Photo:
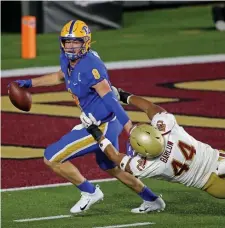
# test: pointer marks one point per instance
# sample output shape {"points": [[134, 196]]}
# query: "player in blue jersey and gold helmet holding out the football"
{"points": [[86, 78]]}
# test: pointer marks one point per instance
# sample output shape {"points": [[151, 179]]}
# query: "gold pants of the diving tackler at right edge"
{"points": [[215, 186]]}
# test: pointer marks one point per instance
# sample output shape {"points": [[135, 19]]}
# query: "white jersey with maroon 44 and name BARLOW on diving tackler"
{"points": [[184, 160]]}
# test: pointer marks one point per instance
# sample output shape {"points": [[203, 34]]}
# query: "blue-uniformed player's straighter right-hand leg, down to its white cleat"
{"points": [[151, 201]]}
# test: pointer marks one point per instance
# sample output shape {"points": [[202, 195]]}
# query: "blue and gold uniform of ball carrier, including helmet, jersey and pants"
{"points": [[79, 81]]}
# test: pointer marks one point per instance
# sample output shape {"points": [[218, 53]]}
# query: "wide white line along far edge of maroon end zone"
{"points": [[123, 64]]}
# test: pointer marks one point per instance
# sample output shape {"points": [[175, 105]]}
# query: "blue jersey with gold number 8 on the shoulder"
{"points": [[79, 81]]}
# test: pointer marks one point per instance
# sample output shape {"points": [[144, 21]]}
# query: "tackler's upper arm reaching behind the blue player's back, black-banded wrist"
{"points": [[146, 106]]}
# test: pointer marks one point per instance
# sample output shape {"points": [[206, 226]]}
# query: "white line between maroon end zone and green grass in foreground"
{"points": [[53, 185]]}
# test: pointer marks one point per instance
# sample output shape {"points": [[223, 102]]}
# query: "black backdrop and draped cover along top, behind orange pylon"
{"points": [[45, 12]]}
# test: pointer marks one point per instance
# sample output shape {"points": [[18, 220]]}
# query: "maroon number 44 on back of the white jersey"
{"points": [[188, 152]]}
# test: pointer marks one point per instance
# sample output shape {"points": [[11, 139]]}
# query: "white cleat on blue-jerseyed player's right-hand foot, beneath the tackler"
{"points": [[148, 206]]}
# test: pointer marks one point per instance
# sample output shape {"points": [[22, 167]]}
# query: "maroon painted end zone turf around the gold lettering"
{"points": [[41, 130]]}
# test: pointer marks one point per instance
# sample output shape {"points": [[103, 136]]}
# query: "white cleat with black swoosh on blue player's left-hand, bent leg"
{"points": [[86, 200]]}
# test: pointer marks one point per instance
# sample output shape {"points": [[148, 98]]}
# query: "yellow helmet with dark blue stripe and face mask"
{"points": [[76, 30]]}
